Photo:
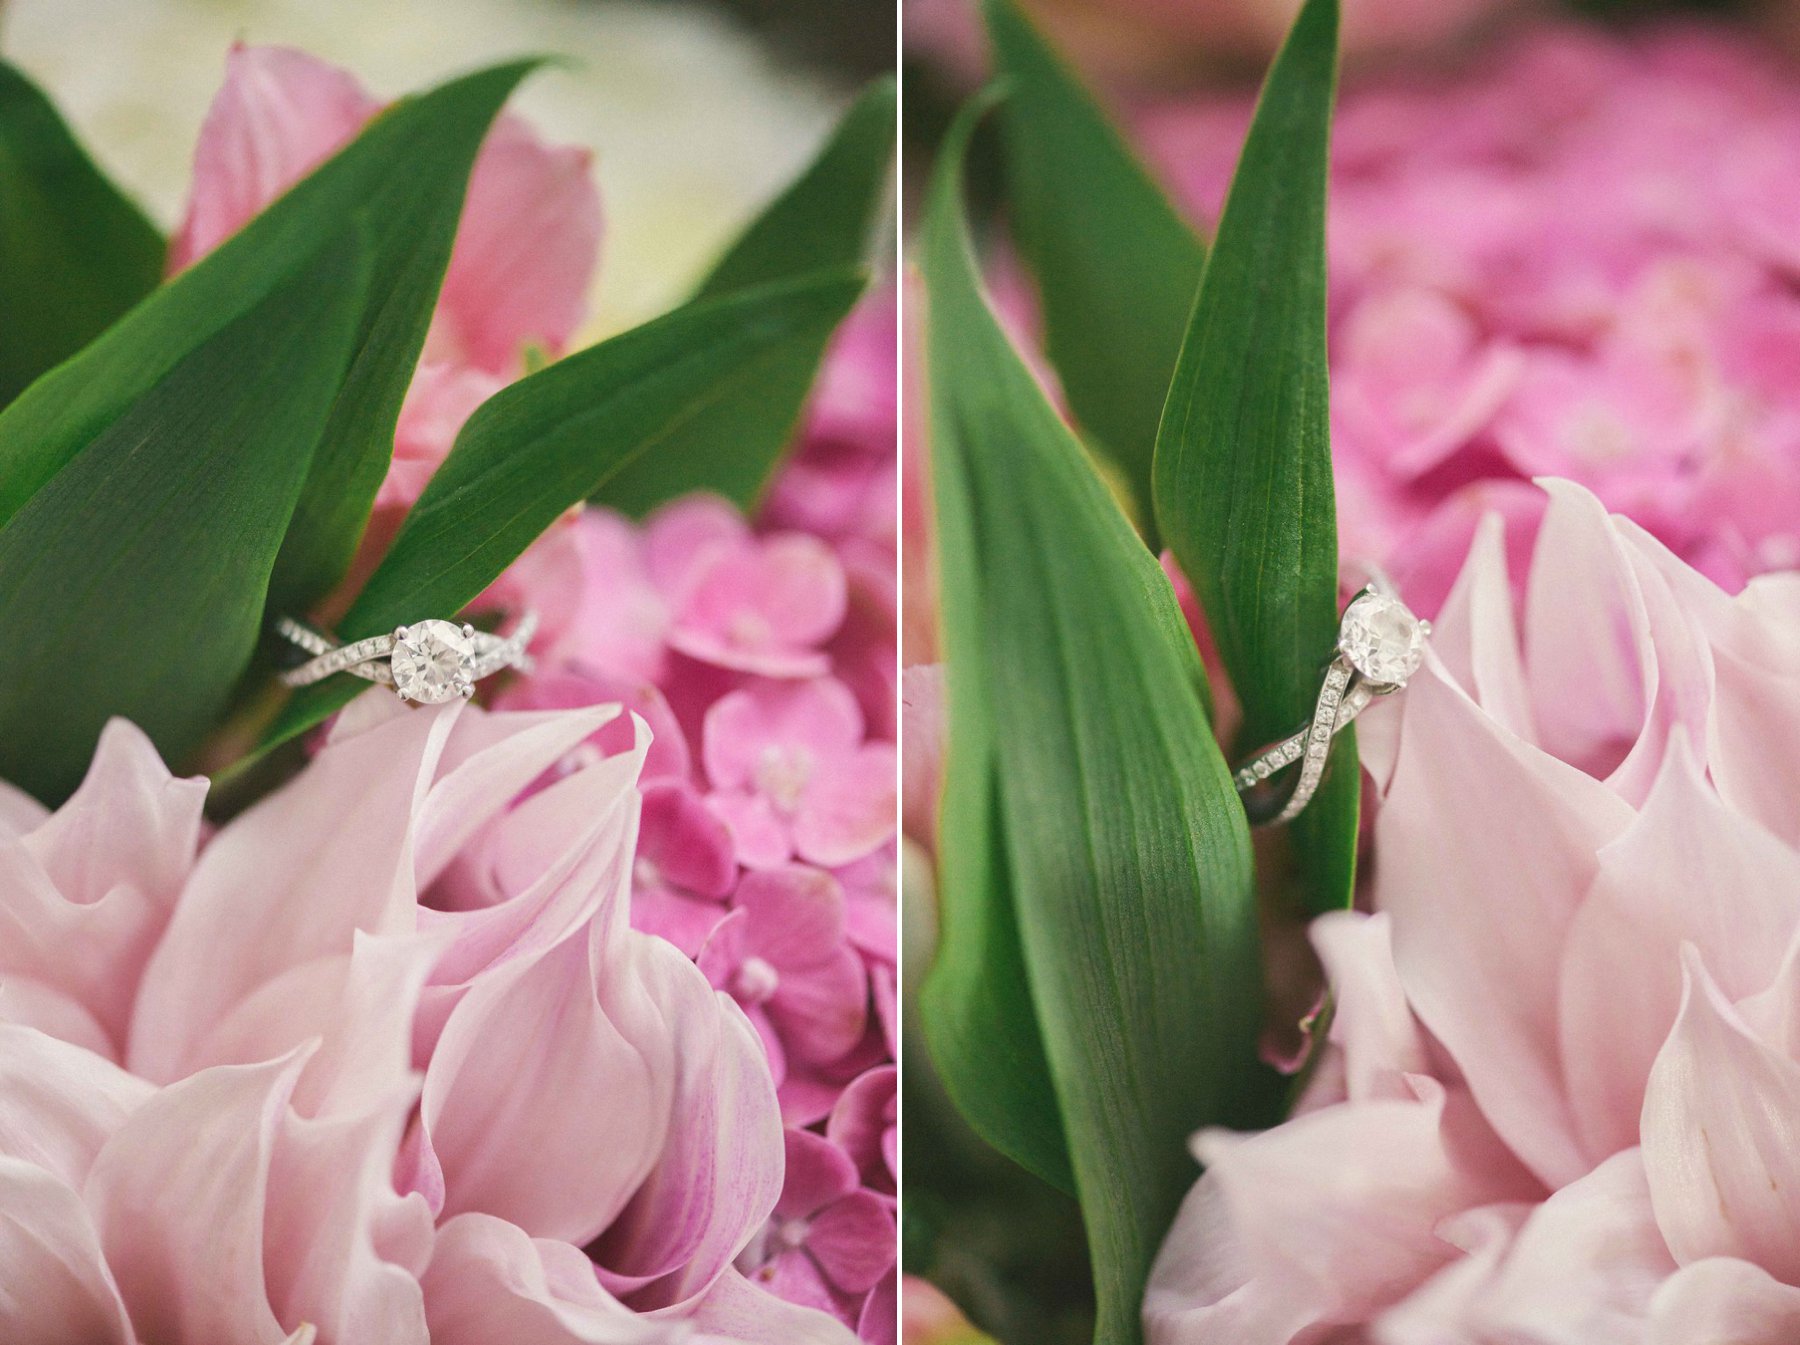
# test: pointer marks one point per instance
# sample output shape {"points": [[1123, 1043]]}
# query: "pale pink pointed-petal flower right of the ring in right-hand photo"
{"points": [[1560, 1097]]}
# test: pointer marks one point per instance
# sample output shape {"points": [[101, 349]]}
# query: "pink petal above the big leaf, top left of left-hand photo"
{"points": [[278, 116]]}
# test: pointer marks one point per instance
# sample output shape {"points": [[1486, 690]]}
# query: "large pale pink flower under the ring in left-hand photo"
{"points": [[271, 1088]]}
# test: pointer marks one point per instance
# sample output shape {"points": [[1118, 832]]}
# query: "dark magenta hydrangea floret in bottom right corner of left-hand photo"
{"points": [[829, 1243]]}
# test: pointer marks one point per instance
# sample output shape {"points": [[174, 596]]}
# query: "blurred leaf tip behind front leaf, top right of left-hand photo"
{"points": [[829, 215]]}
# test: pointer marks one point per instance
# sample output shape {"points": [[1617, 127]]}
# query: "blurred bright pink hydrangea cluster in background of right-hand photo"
{"points": [[1570, 258]]}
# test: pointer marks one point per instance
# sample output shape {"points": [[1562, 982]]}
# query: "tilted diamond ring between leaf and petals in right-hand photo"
{"points": [[1380, 647]]}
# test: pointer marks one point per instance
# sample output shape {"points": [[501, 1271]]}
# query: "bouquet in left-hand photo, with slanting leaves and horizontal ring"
{"points": [[561, 1016]]}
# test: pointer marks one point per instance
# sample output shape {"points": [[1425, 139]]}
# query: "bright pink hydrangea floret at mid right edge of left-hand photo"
{"points": [[791, 775]]}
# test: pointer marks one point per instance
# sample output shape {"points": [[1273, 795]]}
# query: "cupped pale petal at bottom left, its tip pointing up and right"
{"points": [[179, 1200]]}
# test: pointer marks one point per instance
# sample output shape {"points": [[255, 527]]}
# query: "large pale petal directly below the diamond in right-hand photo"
{"points": [[1486, 849]]}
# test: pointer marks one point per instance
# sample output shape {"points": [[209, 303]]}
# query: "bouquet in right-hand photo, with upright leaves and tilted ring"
{"points": [[1356, 788]]}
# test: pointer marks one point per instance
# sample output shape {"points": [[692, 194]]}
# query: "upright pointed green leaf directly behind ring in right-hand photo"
{"points": [[1243, 462]]}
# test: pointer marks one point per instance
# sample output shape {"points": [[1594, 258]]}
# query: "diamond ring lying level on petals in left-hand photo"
{"points": [[427, 663]]}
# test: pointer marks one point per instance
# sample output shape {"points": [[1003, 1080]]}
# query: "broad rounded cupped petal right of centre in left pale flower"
{"points": [[579, 1025]]}
